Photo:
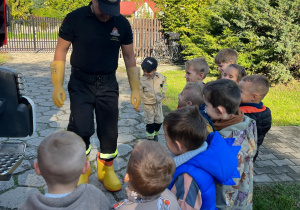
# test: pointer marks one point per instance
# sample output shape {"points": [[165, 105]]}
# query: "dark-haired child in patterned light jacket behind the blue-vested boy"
{"points": [[222, 98]]}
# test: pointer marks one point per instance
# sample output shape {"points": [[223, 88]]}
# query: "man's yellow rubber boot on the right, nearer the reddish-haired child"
{"points": [[107, 175]]}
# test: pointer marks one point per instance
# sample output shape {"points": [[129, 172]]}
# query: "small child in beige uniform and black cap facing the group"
{"points": [[153, 89]]}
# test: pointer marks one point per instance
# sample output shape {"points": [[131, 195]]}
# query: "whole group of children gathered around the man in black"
{"points": [[212, 138]]}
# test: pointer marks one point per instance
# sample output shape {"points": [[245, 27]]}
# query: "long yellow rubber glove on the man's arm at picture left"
{"points": [[57, 74]]}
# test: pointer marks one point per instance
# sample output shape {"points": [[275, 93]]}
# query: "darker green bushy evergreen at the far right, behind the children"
{"points": [[268, 35]]}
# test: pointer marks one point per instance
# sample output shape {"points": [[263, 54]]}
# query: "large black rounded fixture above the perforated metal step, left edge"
{"points": [[17, 116]]}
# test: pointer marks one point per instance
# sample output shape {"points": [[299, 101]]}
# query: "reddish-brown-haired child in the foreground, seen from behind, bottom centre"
{"points": [[150, 169]]}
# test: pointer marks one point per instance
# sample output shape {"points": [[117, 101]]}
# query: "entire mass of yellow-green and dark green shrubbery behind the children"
{"points": [[266, 33]]}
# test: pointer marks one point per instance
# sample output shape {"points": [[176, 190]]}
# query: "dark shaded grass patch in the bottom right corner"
{"points": [[277, 196]]}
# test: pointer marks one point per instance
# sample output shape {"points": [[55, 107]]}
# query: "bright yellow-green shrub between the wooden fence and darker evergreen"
{"points": [[190, 18]]}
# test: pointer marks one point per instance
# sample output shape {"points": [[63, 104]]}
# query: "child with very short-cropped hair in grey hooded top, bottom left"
{"points": [[61, 160]]}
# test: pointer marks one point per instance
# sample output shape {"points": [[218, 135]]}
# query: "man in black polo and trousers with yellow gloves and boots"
{"points": [[97, 32]]}
